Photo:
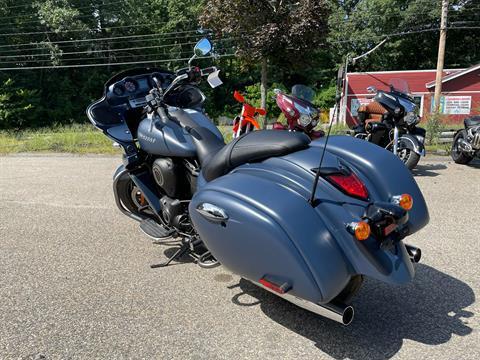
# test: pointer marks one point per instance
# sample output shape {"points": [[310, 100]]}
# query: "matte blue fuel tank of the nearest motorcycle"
{"points": [[171, 139]]}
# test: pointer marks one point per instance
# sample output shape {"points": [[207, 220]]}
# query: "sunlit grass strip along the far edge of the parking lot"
{"points": [[85, 139]]}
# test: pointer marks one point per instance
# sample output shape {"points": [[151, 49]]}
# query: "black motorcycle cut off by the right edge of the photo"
{"points": [[466, 143]]}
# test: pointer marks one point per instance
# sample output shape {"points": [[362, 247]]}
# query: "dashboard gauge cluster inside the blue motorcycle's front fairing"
{"points": [[133, 89]]}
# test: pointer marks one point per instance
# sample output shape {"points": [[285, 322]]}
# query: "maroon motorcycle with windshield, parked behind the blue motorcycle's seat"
{"points": [[301, 114]]}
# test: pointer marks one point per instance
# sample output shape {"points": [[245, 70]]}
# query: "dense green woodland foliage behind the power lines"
{"points": [[303, 40]]}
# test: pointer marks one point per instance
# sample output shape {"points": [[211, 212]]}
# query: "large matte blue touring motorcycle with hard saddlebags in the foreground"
{"points": [[263, 206]]}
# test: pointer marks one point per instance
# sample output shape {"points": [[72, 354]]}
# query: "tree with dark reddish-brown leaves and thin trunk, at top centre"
{"points": [[269, 31]]}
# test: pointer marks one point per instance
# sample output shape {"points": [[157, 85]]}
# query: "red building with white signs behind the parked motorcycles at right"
{"points": [[460, 91]]}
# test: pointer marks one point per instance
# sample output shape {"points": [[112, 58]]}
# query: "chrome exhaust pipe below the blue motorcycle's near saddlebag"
{"points": [[338, 312]]}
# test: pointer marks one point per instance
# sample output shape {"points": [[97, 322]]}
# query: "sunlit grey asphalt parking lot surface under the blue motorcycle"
{"points": [[76, 281]]}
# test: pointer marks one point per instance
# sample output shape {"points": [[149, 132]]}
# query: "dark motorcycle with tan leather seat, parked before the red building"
{"points": [[391, 122]]}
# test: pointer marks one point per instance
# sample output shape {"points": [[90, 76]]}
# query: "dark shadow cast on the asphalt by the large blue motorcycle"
{"points": [[429, 310]]}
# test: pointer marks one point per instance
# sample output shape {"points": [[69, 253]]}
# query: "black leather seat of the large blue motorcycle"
{"points": [[217, 159]]}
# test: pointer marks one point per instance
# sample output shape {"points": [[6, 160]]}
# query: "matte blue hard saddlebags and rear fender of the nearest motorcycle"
{"points": [[269, 229]]}
